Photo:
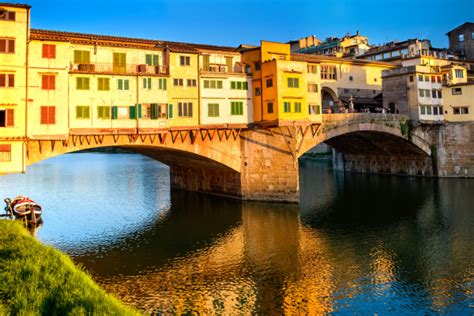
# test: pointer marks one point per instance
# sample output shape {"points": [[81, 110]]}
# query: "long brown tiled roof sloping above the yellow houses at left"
{"points": [[106, 40]]}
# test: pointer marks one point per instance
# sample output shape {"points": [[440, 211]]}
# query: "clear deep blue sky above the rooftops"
{"points": [[231, 23]]}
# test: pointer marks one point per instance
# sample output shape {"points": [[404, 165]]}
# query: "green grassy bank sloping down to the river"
{"points": [[38, 279]]}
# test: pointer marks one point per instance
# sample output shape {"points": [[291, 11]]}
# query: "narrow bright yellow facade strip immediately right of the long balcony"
{"points": [[184, 93]]}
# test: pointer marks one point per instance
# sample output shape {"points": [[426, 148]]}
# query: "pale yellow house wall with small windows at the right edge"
{"points": [[452, 101]]}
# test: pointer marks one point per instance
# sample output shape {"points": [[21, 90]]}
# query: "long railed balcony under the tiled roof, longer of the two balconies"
{"points": [[129, 69]]}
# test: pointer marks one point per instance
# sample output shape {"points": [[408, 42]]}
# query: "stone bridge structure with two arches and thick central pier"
{"points": [[260, 163]]}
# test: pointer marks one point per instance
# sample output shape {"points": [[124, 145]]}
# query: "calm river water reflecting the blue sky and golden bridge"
{"points": [[356, 243]]}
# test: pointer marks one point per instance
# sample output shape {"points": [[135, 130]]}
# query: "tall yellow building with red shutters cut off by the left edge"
{"points": [[14, 29]]}
